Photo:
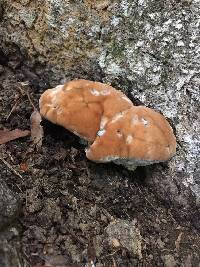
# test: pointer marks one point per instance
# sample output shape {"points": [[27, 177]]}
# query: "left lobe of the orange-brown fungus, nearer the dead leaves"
{"points": [[83, 106]]}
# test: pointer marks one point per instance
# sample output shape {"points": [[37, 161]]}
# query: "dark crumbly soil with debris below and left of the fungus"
{"points": [[75, 212]]}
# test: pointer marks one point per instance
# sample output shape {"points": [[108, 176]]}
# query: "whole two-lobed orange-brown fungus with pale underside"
{"points": [[116, 130]]}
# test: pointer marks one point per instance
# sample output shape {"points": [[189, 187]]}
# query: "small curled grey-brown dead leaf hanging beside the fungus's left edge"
{"points": [[37, 132]]}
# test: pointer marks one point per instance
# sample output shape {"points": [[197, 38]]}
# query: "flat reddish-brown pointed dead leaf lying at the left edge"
{"points": [[7, 135]]}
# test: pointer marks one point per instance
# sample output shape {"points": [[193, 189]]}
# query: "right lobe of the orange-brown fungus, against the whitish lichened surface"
{"points": [[137, 136]]}
